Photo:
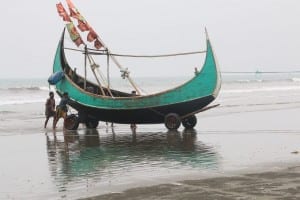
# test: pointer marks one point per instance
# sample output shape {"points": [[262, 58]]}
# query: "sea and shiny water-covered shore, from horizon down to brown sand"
{"points": [[256, 122]]}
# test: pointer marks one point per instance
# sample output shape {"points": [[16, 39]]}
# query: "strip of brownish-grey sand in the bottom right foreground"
{"points": [[280, 184]]}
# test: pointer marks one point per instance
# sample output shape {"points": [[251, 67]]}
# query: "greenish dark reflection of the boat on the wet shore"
{"points": [[77, 159]]}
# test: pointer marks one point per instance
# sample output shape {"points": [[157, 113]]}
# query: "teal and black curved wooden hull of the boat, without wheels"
{"points": [[202, 89]]}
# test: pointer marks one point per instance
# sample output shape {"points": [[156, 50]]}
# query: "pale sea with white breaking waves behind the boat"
{"points": [[24, 91]]}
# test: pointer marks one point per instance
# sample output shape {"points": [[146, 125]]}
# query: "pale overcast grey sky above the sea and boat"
{"points": [[246, 35]]}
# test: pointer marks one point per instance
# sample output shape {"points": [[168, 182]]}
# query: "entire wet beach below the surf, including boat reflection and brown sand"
{"points": [[232, 154]]}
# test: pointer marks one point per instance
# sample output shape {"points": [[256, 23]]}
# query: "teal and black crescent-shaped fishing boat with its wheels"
{"points": [[98, 102]]}
